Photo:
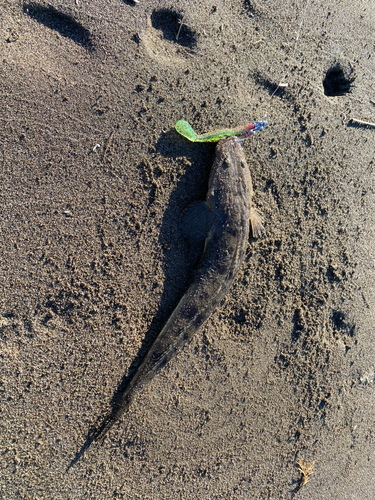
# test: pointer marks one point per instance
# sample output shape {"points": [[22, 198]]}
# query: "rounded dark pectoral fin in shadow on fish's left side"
{"points": [[195, 222]]}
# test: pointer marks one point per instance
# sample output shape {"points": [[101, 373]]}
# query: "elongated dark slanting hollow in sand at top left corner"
{"points": [[62, 23]]}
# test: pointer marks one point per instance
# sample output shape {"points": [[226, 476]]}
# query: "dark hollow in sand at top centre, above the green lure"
{"points": [[173, 28]]}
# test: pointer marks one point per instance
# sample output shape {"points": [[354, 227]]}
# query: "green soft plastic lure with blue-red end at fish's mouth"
{"points": [[185, 129]]}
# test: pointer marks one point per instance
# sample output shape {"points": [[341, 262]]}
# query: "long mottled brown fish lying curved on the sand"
{"points": [[229, 199]]}
